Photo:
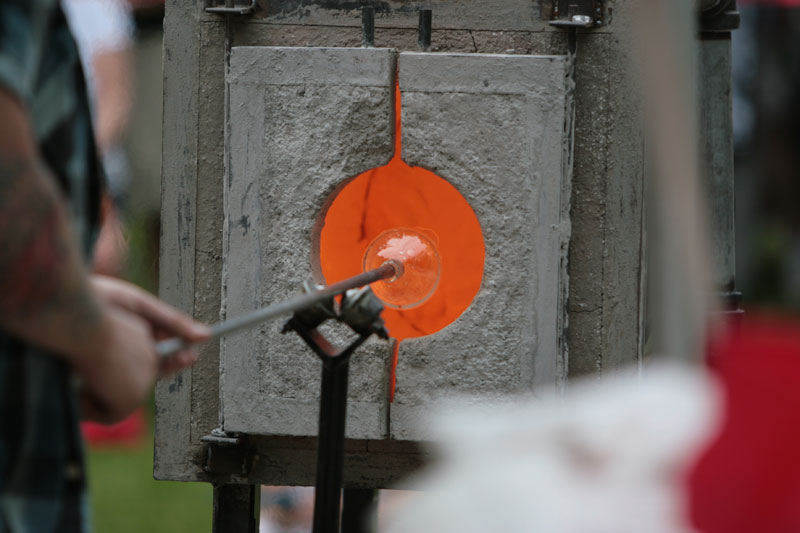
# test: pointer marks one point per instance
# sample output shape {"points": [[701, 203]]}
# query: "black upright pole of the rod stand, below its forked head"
{"points": [[330, 450]]}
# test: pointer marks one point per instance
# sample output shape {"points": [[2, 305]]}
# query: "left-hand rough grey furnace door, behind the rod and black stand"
{"points": [[302, 122]]}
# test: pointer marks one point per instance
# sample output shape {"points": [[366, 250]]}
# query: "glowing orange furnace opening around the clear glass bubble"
{"points": [[400, 196]]}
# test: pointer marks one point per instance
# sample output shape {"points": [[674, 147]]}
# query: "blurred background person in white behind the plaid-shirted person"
{"points": [[103, 31]]}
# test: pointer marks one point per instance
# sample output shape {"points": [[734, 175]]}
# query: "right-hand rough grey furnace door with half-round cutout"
{"points": [[494, 127]]}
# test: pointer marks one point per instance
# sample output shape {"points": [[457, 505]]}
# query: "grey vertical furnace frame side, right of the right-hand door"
{"points": [[606, 251]]}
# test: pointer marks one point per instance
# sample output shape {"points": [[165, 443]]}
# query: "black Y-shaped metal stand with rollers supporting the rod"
{"points": [[360, 310]]}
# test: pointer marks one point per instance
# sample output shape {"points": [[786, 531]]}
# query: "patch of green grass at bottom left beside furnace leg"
{"points": [[125, 497]]}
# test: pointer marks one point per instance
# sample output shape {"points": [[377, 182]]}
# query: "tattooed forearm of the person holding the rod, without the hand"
{"points": [[43, 282]]}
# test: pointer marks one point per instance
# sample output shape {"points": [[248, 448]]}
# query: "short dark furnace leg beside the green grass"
{"points": [[236, 508]]}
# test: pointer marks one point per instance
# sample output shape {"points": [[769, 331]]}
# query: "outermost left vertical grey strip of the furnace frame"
{"points": [[174, 448]]}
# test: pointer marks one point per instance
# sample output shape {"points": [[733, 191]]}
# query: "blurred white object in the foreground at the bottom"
{"points": [[609, 458]]}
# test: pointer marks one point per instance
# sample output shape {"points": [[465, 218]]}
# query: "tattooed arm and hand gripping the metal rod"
{"points": [[46, 297]]}
